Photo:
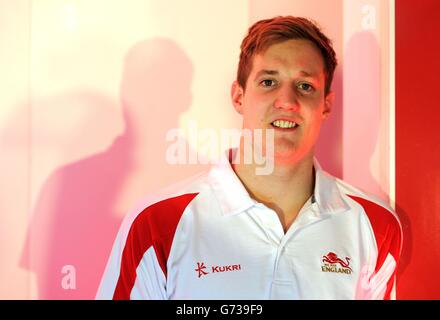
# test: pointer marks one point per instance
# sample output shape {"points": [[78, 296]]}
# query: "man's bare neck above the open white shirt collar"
{"points": [[285, 190]]}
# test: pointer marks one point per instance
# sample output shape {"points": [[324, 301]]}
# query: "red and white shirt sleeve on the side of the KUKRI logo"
{"points": [[137, 268]]}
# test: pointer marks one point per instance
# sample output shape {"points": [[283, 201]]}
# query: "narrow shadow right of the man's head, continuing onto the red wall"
{"points": [[363, 79]]}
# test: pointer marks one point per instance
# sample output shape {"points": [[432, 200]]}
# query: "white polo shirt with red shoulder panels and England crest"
{"points": [[208, 239]]}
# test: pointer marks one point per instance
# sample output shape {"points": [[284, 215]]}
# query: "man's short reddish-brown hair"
{"points": [[264, 33]]}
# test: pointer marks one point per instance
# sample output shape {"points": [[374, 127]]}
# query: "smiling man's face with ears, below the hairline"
{"points": [[285, 91]]}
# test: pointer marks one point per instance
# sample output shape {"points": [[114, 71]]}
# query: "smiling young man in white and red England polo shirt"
{"points": [[294, 233]]}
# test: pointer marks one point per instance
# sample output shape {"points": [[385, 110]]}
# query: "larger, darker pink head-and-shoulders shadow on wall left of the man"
{"points": [[80, 206]]}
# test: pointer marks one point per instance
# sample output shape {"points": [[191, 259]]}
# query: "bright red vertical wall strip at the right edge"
{"points": [[418, 146]]}
